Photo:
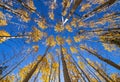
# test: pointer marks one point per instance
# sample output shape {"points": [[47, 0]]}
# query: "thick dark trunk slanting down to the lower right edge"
{"points": [[102, 58]]}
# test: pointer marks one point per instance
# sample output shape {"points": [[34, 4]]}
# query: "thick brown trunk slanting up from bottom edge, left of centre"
{"points": [[29, 75]]}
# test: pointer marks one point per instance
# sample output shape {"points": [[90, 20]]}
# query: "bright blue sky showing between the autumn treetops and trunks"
{"points": [[12, 46]]}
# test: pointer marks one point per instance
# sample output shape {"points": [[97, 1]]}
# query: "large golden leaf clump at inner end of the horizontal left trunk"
{"points": [[36, 35]]}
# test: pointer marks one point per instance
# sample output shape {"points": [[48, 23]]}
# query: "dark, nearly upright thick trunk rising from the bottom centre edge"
{"points": [[65, 70]]}
